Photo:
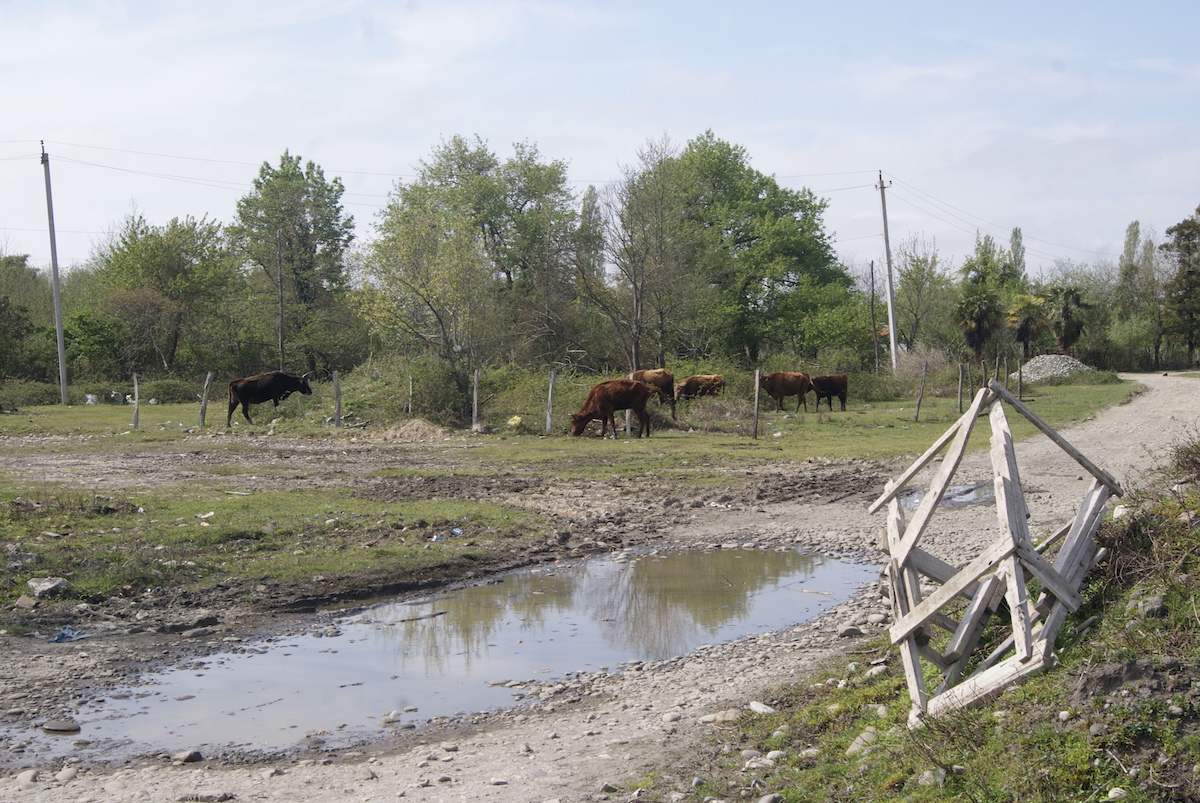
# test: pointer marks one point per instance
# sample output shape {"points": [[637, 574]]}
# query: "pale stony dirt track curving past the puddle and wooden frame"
{"points": [[611, 729]]}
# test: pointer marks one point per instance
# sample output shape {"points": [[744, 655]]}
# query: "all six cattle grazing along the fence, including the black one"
{"points": [[604, 400]]}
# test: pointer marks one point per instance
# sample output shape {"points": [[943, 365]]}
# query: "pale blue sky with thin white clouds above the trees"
{"points": [[1069, 121]]}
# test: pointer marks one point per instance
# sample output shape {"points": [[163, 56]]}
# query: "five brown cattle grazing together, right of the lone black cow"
{"points": [[607, 398]]}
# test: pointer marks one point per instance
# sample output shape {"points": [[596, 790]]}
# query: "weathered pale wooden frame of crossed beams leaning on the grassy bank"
{"points": [[971, 670]]}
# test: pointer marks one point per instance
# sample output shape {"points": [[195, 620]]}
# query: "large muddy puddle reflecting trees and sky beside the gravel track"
{"points": [[464, 652]]}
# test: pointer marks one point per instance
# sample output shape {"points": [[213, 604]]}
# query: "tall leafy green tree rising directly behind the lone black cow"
{"points": [[293, 227]]}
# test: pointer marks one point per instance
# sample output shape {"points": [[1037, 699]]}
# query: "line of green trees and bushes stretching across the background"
{"points": [[483, 261]]}
